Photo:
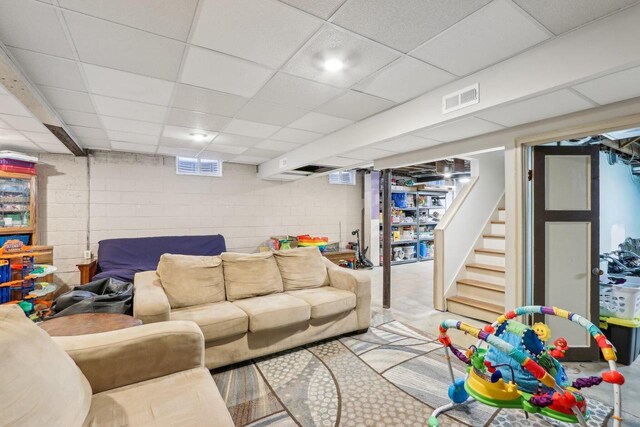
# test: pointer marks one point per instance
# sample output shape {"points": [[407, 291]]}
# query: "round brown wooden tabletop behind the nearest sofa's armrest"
{"points": [[88, 323]]}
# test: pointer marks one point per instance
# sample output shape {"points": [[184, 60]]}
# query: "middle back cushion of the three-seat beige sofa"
{"points": [[250, 275]]}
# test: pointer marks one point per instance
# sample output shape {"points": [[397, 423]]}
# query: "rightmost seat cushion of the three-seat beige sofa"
{"points": [[326, 301]]}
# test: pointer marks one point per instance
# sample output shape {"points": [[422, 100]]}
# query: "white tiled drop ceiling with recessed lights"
{"points": [[145, 76]]}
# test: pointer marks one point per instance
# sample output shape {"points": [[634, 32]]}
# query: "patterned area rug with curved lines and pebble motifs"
{"points": [[389, 376]]}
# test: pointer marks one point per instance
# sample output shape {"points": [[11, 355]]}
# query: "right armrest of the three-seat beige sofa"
{"points": [[357, 282]]}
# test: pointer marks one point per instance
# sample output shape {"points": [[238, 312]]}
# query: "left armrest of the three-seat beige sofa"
{"points": [[150, 303]]}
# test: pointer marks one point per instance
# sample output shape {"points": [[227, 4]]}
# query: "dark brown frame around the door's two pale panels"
{"points": [[540, 218]]}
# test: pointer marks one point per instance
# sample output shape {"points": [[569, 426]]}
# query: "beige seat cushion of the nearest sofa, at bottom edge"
{"points": [[187, 398]]}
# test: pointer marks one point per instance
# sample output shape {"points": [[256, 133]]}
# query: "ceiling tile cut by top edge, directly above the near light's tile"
{"points": [[403, 24]]}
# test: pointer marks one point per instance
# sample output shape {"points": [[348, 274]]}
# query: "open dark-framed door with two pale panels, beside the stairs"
{"points": [[566, 246]]}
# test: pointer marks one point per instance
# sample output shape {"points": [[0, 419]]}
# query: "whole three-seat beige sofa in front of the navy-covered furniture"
{"points": [[250, 305]]}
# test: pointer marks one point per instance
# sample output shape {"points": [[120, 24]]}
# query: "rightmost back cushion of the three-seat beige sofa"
{"points": [[302, 268]]}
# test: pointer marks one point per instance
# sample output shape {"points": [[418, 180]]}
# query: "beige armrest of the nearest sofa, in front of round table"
{"points": [[127, 356]]}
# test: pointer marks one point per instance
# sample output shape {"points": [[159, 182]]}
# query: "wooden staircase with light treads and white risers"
{"points": [[479, 292]]}
